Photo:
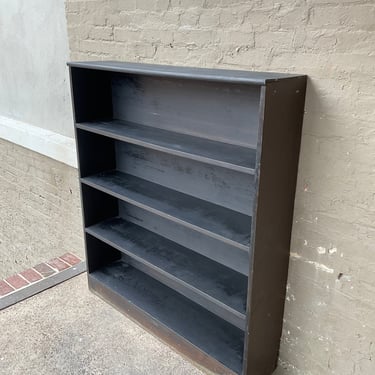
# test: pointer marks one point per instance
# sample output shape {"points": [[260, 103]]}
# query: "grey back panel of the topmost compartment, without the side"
{"points": [[223, 112]]}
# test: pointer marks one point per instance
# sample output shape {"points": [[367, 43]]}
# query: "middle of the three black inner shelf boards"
{"points": [[215, 221]]}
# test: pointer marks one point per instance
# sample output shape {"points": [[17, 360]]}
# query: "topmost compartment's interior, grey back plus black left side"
{"points": [[193, 108]]}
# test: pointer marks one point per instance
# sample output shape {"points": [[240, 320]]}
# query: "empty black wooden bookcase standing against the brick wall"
{"points": [[187, 183]]}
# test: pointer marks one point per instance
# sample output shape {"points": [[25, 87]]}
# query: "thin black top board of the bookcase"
{"points": [[218, 75]]}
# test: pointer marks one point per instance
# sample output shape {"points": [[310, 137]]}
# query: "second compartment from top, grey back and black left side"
{"points": [[220, 186]]}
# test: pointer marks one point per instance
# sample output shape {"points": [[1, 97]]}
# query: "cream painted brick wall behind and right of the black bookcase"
{"points": [[330, 309]]}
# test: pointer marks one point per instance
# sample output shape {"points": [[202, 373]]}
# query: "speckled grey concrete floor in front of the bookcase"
{"points": [[67, 330]]}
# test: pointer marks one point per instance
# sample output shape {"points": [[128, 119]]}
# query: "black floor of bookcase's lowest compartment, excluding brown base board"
{"points": [[203, 329]]}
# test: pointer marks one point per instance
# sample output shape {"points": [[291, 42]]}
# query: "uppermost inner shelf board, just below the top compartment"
{"points": [[238, 158]]}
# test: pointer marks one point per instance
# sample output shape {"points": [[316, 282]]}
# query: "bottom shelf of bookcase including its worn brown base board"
{"points": [[168, 314]]}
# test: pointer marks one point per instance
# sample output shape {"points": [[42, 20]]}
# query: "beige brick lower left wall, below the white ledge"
{"points": [[39, 209]]}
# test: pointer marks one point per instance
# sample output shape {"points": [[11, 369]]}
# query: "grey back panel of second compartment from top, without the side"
{"points": [[224, 187]]}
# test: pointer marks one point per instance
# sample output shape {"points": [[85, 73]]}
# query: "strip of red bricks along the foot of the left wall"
{"points": [[37, 273]]}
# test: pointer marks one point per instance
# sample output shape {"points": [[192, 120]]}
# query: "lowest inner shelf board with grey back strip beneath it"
{"points": [[208, 283]]}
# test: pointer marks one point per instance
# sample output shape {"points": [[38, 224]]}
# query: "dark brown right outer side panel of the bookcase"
{"points": [[281, 118]]}
